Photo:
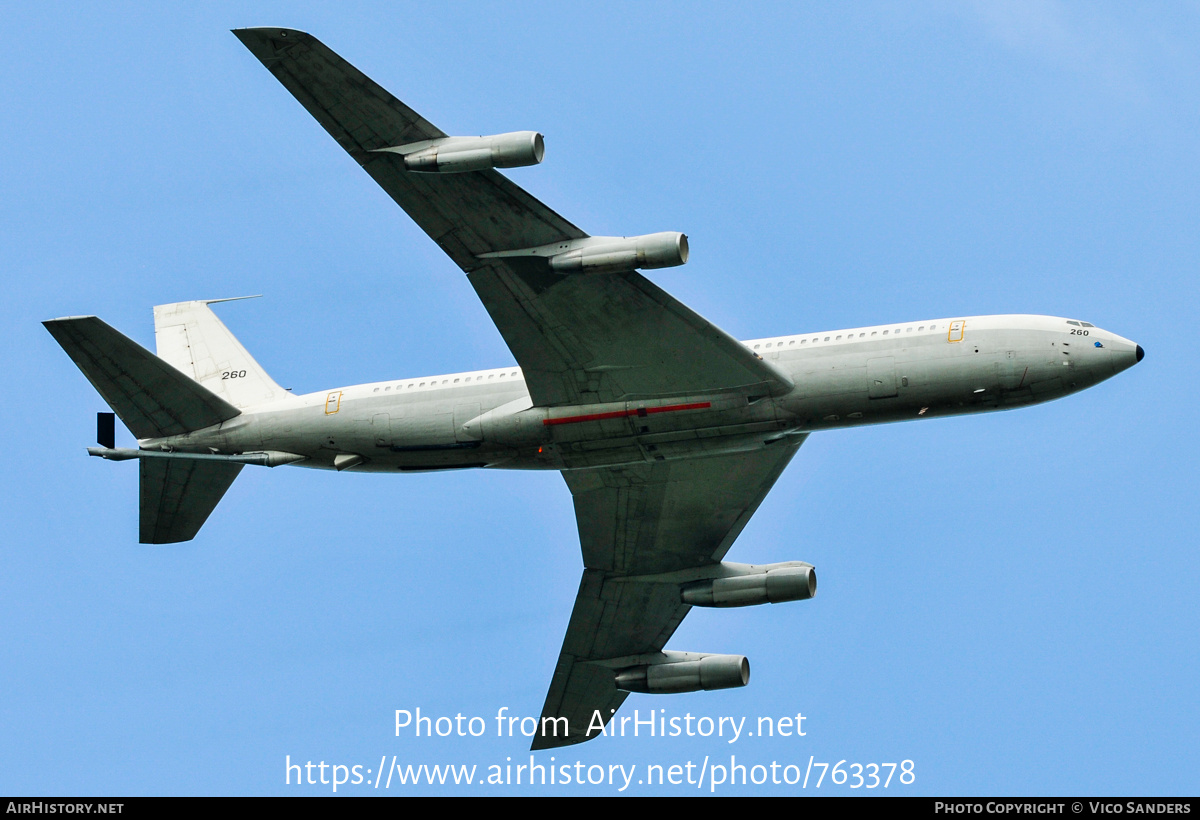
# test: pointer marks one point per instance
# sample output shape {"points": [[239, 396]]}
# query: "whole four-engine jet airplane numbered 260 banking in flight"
{"points": [[668, 432]]}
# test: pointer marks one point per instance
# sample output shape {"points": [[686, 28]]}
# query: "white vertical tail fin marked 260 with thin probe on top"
{"points": [[191, 337]]}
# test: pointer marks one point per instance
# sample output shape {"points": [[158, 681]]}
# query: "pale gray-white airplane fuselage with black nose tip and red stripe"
{"points": [[842, 379]]}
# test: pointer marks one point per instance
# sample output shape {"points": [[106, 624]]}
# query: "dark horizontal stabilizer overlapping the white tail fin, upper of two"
{"points": [[153, 398]]}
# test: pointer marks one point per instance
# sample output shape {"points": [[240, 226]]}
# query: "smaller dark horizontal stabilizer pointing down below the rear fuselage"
{"points": [[179, 495]]}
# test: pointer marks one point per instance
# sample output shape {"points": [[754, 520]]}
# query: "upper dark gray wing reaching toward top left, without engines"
{"points": [[579, 339]]}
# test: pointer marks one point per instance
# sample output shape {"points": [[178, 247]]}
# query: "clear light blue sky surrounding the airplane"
{"points": [[1007, 601]]}
